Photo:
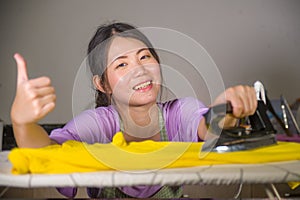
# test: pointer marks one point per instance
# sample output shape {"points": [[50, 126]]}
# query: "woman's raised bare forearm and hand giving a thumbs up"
{"points": [[34, 99]]}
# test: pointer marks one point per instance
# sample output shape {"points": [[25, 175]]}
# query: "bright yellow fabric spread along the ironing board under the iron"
{"points": [[74, 156]]}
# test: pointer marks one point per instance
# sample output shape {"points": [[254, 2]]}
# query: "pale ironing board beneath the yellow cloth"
{"points": [[278, 172]]}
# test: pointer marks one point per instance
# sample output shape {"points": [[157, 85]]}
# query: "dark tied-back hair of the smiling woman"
{"points": [[98, 50]]}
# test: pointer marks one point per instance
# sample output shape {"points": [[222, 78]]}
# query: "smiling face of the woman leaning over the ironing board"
{"points": [[133, 73]]}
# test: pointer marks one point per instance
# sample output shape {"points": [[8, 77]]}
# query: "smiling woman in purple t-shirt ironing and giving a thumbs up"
{"points": [[127, 77]]}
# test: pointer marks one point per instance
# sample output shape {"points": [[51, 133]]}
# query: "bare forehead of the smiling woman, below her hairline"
{"points": [[121, 46]]}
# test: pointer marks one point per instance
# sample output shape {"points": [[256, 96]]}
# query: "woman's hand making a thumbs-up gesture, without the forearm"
{"points": [[34, 99]]}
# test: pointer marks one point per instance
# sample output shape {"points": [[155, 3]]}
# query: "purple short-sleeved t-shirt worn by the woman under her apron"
{"points": [[99, 125]]}
